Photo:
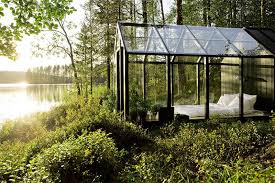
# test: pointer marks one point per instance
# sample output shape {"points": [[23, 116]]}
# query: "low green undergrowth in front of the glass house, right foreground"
{"points": [[210, 152]]}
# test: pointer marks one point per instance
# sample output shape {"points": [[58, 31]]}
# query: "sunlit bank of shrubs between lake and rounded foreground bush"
{"points": [[90, 115]]}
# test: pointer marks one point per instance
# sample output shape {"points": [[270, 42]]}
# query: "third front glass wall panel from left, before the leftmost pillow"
{"points": [[224, 87]]}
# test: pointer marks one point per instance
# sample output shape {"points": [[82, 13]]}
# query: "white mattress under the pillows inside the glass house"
{"points": [[194, 111]]}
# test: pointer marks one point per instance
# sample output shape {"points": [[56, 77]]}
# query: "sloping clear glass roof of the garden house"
{"points": [[189, 40]]}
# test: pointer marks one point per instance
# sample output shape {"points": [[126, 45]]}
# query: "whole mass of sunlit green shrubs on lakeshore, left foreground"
{"points": [[68, 127]]}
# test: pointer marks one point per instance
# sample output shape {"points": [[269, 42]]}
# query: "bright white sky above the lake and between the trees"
{"points": [[25, 59]]}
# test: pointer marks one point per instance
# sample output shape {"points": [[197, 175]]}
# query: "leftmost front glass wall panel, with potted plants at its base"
{"points": [[147, 85]]}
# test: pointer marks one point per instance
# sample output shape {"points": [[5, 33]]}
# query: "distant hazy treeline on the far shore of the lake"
{"points": [[49, 75]]}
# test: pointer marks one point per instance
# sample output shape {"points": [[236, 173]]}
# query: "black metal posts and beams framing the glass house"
{"points": [[123, 74]]}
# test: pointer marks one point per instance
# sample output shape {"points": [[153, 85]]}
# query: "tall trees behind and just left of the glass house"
{"points": [[93, 45]]}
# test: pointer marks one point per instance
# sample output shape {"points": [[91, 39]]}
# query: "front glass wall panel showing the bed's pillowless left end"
{"points": [[188, 86]]}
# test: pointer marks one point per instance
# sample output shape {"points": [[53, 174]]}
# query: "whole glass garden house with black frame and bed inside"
{"points": [[195, 71]]}
